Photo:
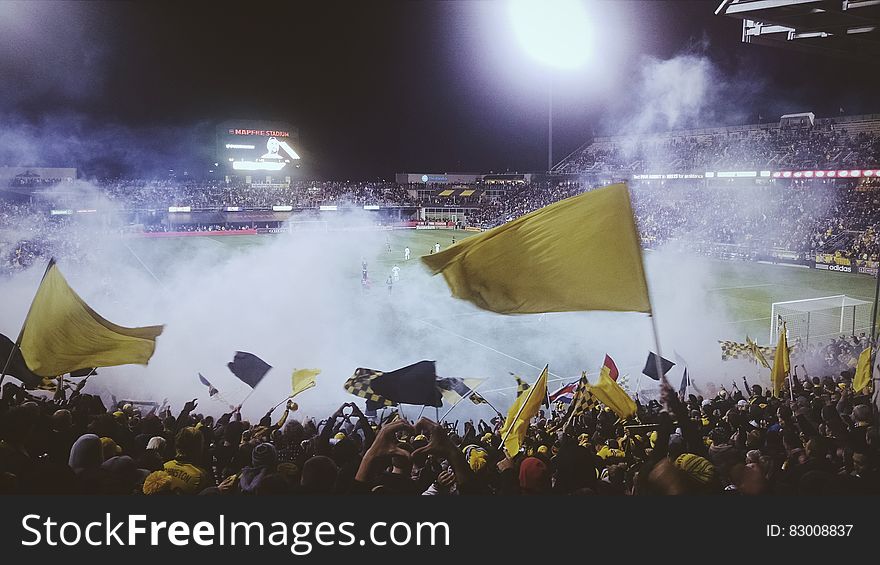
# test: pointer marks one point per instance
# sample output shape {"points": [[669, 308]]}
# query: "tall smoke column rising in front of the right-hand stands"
{"points": [[693, 91]]}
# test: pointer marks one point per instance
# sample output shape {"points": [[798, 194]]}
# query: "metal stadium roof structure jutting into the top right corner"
{"points": [[849, 28]]}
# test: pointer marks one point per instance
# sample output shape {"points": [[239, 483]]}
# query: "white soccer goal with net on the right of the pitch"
{"points": [[820, 319]]}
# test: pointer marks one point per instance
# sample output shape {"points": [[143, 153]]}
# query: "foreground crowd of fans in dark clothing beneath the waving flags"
{"points": [[816, 438]]}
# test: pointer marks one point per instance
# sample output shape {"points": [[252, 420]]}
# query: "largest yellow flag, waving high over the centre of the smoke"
{"points": [[581, 253]]}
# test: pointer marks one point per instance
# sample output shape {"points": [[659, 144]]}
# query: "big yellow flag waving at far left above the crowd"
{"points": [[63, 334]]}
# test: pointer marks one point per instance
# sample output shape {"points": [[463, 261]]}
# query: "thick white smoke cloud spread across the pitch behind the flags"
{"points": [[296, 301]]}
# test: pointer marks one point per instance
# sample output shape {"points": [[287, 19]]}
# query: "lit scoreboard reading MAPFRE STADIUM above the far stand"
{"points": [[245, 146]]}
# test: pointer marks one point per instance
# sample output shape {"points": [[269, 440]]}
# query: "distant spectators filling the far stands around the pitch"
{"points": [[751, 218]]}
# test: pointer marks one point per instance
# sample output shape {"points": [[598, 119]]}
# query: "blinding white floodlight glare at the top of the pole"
{"points": [[555, 32]]}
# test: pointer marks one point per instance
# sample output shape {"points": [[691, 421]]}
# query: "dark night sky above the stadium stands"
{"points": [[376, 88]]}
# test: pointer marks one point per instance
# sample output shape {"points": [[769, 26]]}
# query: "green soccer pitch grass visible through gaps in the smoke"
{"points": [[744, 290]]}
